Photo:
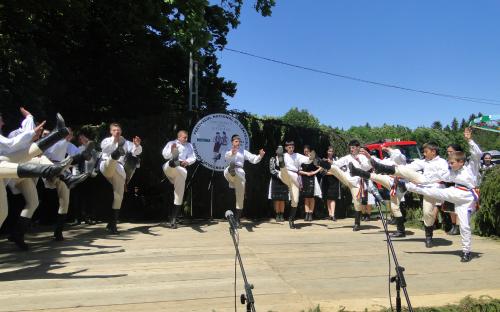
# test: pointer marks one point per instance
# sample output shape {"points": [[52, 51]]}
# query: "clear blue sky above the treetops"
{"points": [[443, 46]]}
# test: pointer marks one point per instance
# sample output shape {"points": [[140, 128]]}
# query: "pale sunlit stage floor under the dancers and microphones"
{"points": [[150, 267]]}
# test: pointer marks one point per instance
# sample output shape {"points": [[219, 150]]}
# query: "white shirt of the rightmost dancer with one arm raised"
{"points": [[468, 175]]}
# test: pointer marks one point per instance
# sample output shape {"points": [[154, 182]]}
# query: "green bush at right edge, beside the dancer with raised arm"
{"points": [[487, 219]]}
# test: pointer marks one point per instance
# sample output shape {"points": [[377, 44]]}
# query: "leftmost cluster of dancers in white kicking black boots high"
{"points": [[31, 152]]}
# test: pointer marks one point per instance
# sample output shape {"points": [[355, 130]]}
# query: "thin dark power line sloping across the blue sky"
{"points": [[380, 84]]}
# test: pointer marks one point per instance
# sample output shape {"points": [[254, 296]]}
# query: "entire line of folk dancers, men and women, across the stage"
{"points": [[25, 157]]}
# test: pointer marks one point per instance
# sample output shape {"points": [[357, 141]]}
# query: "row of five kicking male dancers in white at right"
{"points": [[426, 177]]}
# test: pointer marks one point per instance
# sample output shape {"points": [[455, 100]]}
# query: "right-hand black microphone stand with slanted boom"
{"points": [[399, 278]]}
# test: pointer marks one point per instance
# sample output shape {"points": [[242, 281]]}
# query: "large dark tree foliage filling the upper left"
{"points": [[102, 60]]}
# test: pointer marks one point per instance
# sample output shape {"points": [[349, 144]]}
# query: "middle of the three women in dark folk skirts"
{"points": [[310, 185]]}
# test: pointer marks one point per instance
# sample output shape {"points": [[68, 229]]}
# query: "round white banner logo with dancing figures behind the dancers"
{"points": [[211, 139]]}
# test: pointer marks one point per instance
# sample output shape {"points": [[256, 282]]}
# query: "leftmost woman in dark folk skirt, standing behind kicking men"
{"points": [[278, 191]]}
